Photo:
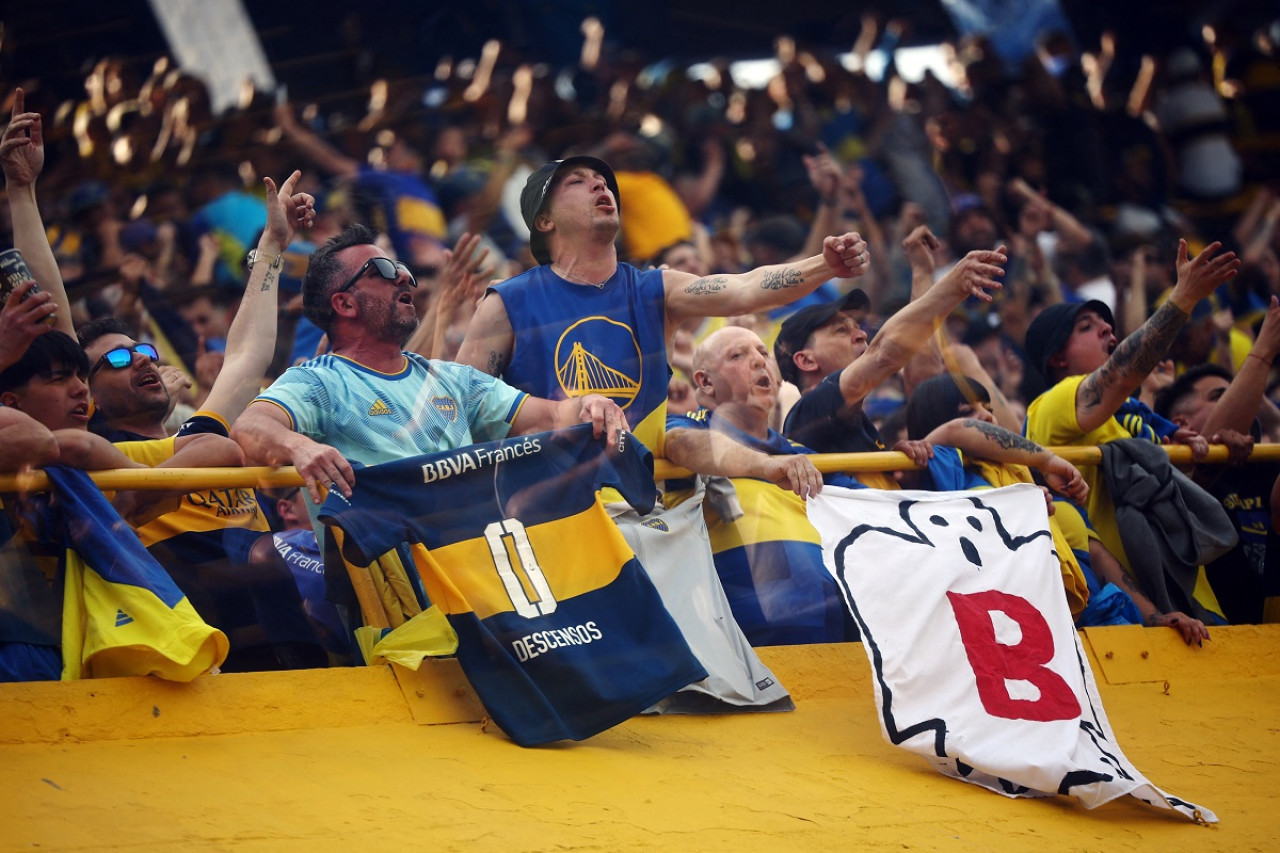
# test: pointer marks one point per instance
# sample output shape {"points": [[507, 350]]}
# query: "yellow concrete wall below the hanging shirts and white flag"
{"points": [[374, 760]]}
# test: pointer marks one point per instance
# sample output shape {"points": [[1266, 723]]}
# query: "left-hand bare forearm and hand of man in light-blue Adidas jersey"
{"points": [[267, 436]]}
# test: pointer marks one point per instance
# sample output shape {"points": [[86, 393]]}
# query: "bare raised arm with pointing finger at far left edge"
{"points": [[22, 156]]}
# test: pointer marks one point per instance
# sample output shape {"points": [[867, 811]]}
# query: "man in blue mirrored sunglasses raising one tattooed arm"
{"points": [[205, 544]]}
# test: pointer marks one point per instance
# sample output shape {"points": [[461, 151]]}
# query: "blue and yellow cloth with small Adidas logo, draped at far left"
{"points": [[122, 614]]}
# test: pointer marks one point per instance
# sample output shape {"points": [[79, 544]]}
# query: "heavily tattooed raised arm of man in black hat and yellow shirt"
{"points": [[1104, 391]]}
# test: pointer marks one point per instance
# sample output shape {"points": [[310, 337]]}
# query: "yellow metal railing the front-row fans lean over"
{"points": [[193, 478]]}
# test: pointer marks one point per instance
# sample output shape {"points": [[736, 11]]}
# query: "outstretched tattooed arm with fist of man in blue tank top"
{"points": [[762, 289]]}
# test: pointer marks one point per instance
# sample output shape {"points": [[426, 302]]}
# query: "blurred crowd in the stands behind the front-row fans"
{"points": [[1089, 165]]}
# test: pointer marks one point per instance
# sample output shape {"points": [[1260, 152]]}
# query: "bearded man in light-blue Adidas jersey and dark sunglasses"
{"points": [[371, 402]]}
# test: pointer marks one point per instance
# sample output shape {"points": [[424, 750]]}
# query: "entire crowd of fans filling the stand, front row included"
{"points": [[1082, 253]]}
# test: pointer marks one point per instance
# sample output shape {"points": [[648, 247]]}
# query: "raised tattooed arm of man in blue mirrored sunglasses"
{"points": [[252, 339]]}
